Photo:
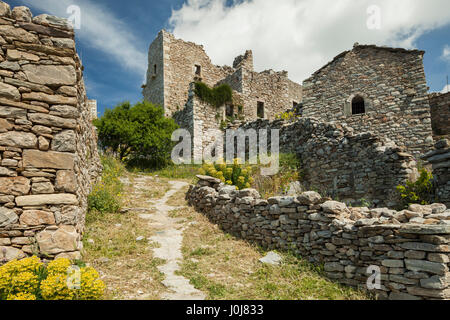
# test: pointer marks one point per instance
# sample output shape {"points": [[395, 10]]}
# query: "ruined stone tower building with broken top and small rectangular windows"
{"points": [[174, 64]]}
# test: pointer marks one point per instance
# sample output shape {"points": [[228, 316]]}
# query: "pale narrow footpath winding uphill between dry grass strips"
{"points": [[169, 236]]}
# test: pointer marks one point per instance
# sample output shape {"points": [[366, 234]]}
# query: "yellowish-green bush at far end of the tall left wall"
{"points": [[106, 195]]}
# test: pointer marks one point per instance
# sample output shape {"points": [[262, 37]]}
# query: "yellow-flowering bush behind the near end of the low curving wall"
{"points": [[232, 174]]}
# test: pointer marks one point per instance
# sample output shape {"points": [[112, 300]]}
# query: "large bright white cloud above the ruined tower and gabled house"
{"points": [[301, 35]]}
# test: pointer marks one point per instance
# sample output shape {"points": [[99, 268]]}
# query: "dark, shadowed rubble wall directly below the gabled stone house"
{"points": [[341, 162]]}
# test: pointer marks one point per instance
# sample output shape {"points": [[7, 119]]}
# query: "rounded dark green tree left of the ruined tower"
{"points": [[139, 135]]}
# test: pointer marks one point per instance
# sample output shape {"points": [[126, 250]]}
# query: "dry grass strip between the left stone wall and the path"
{"points": [[126, 265]]}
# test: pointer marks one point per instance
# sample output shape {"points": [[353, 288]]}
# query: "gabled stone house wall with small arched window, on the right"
{"points": [[391, 82]]}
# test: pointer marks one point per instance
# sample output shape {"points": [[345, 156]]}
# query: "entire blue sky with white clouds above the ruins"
{"points": [[295, 35]]}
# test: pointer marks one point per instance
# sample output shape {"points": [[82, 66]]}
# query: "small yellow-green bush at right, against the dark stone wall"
{"points": [[420, 191]]}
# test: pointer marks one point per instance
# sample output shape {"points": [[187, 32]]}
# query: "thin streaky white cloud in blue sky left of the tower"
{"points": [[101, 30]]}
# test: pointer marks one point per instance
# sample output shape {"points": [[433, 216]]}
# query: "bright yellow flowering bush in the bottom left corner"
{"points": [[30, 279]]}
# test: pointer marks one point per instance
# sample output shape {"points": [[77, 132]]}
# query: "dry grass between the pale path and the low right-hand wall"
{"points": [[227, 268]]}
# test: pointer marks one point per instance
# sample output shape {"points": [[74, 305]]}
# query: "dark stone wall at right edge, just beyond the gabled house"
{"points": [[440, 113]]}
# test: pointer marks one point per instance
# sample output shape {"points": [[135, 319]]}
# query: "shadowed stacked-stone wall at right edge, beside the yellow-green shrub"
{"points": [[440, 161]]}
